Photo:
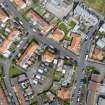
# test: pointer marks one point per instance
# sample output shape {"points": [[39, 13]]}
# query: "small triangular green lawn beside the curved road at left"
{"points": [[14, 71]]}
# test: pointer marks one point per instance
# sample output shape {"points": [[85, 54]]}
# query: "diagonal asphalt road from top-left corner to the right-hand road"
{"points": [[28, 27]]}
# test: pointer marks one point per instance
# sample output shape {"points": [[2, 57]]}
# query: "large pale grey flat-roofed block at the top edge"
{"points": [[59, 8]]}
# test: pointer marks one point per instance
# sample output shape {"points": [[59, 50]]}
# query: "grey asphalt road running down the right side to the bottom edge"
{"points": [[85, 46]]}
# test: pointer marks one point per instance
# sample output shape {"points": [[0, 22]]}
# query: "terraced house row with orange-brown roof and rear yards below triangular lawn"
{"points": [[23, 90]]}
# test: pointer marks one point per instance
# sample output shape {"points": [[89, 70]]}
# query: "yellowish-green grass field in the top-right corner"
{"points": [[97, 5]]}
